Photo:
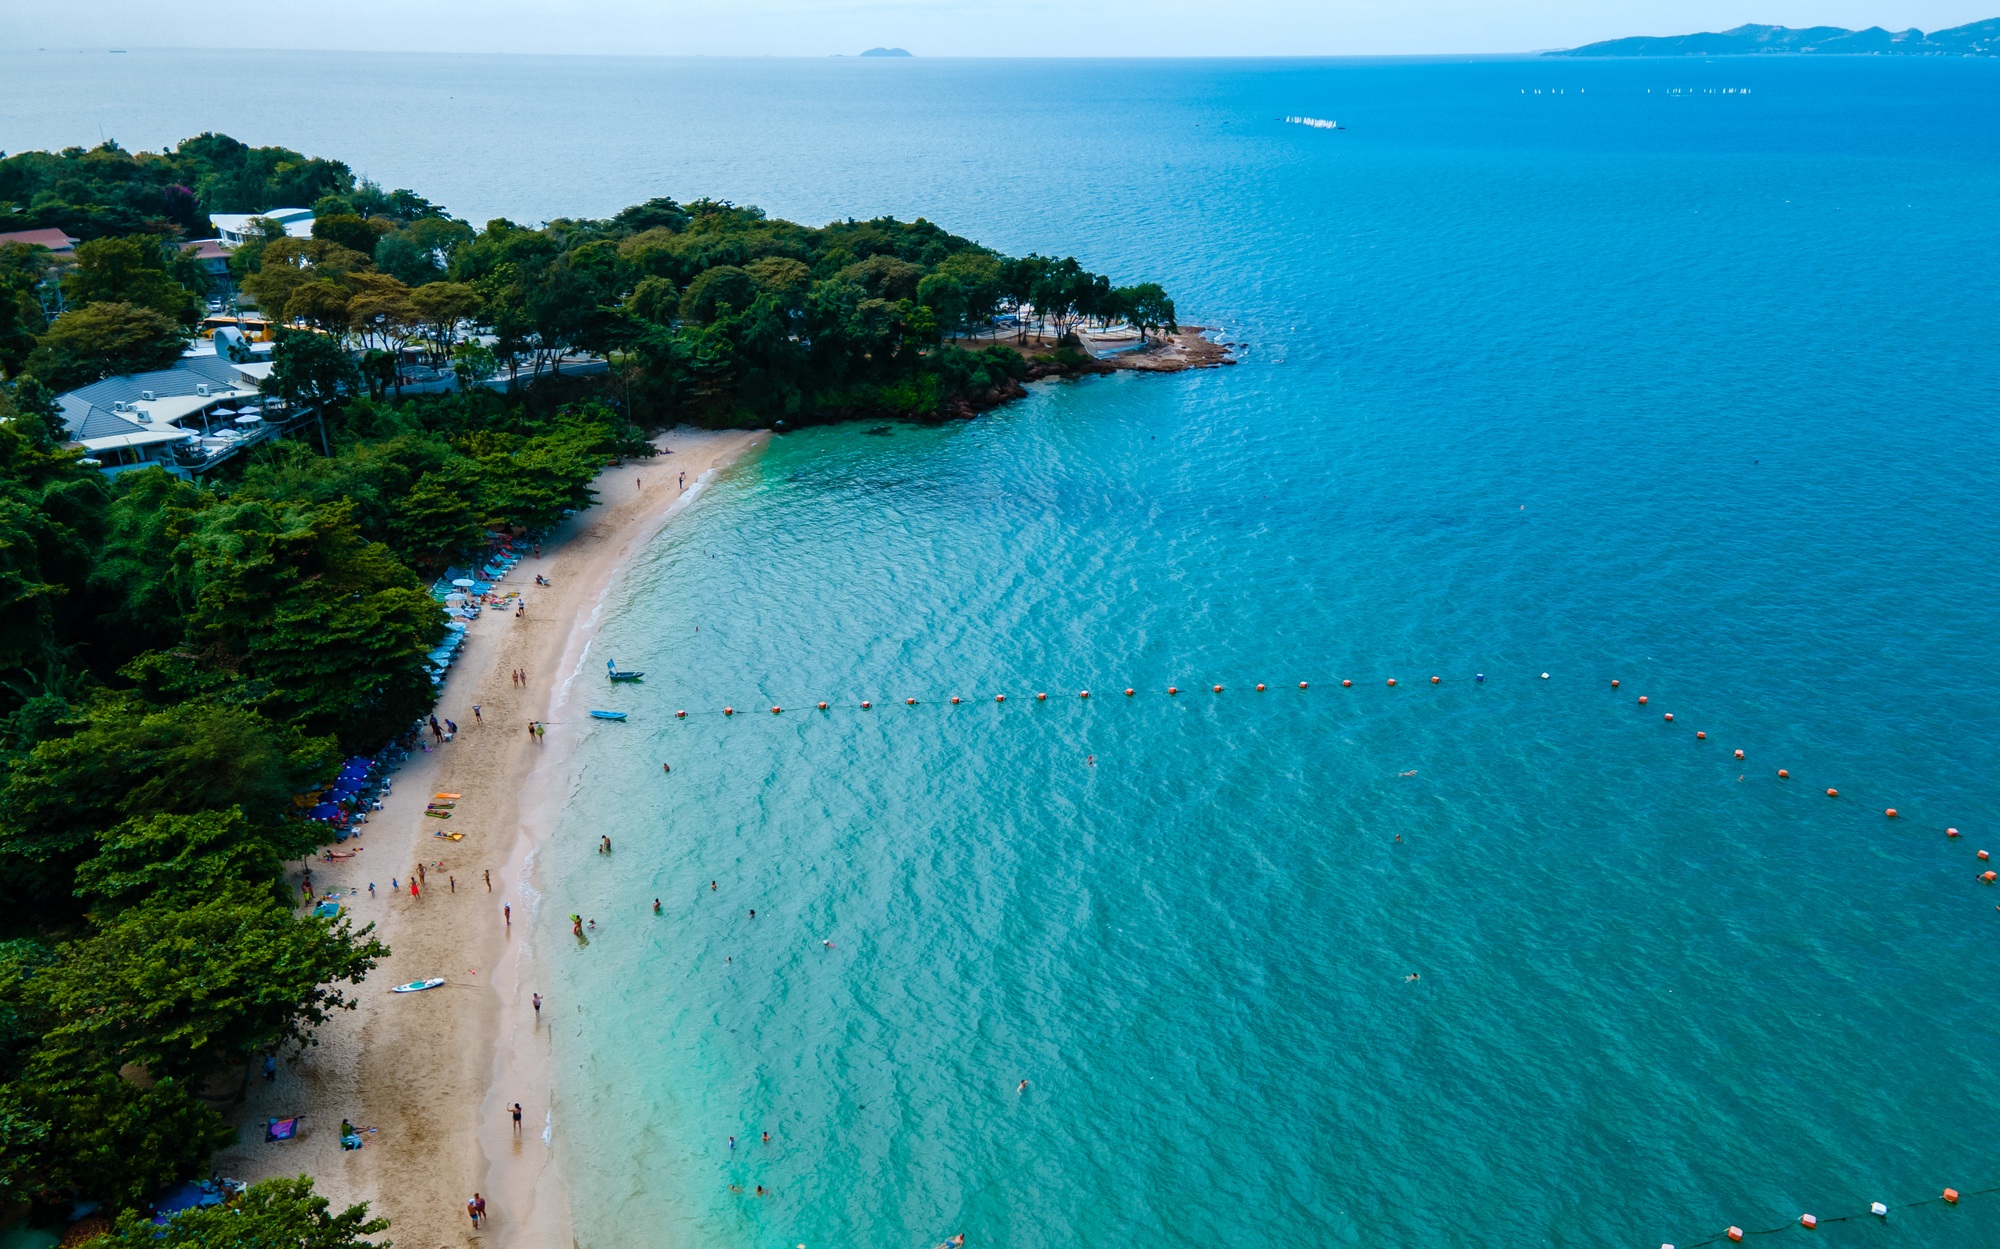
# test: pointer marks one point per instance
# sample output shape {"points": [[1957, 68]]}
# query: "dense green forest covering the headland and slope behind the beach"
{"points": [[181, 662]]}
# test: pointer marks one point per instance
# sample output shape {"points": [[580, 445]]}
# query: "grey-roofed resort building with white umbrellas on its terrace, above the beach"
{"points": [[185, 419]]}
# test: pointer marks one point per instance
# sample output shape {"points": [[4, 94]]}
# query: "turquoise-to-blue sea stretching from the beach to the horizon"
{"points": [[1677, 373]]}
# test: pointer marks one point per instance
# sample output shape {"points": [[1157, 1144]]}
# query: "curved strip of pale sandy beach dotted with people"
{"points": [[431, 1078]]}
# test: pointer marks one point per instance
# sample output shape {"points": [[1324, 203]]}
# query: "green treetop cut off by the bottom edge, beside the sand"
{"points": [[275, 1214]]}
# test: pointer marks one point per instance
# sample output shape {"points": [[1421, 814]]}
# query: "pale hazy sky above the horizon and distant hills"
{"points": [[929, 27]]}
